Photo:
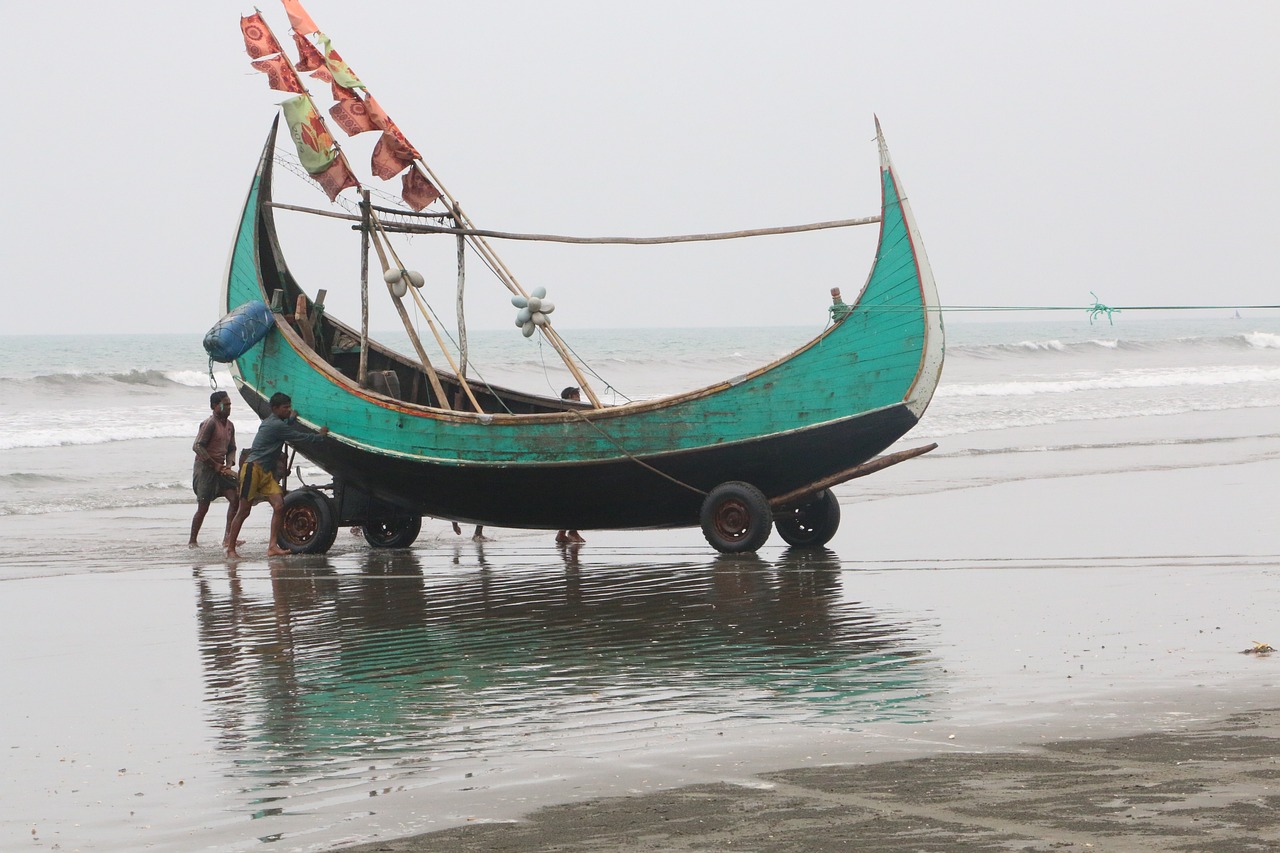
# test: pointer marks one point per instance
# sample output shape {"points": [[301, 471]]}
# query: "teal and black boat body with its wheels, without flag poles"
{"points": [[735, 458]]}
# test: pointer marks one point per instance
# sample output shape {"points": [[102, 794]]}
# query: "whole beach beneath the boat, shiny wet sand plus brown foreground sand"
{"points": [[1066, 621]]}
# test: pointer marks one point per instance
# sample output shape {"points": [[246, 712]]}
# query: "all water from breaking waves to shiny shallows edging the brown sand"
{"points": [[164, 699]]}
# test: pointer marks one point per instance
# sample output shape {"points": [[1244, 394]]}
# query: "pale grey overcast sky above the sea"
{"points": [[1049, 150]]}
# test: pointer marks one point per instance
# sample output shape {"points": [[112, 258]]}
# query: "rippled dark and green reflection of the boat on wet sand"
{"points": [[323, 660]]}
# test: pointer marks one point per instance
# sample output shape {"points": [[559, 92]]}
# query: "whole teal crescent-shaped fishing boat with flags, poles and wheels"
{"points": [[408, 441]]}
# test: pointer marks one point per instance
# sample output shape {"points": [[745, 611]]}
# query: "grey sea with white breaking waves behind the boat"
{"points": [[106, 422]]}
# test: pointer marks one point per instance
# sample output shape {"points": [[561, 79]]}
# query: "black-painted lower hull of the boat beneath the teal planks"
{"points": [[615, 495]]}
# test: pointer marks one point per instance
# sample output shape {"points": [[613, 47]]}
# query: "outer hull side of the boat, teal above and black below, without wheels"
{"points": [[833, 404]]}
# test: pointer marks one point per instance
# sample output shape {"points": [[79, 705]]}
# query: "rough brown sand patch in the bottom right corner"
{"points": [[1208, 788]]}
